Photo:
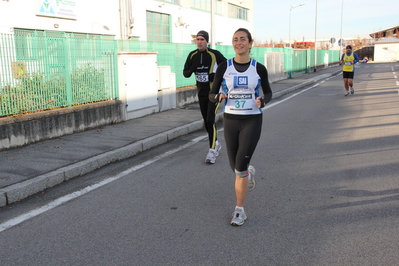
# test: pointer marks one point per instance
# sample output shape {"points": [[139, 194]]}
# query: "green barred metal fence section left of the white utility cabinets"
{"points": [[45, 70]]}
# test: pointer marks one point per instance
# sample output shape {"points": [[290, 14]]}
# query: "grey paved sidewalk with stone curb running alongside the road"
{"points": [[35, 167]]}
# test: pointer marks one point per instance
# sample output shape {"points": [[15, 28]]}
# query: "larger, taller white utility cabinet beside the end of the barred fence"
{"points": [[138, 88]]}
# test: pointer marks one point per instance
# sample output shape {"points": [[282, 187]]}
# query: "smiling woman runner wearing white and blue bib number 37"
{"points": [[239, 81]]}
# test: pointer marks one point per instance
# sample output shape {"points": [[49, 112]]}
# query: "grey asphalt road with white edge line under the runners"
{"points": [[327, 193]]}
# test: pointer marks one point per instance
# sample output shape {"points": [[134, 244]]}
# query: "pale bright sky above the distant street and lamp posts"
{"points": [[359, 18]]}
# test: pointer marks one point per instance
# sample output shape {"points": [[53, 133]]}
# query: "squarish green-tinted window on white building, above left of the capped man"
{"points": [[158, 27]]}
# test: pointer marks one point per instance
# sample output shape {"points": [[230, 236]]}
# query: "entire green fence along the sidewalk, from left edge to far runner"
{"points": [[41, 70]]}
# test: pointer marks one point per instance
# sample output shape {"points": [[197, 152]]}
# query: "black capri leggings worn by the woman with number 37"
{"points": [[241, 136]]}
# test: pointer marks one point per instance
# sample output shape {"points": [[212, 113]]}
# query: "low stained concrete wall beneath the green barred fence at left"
{"points": [[21, 130]]}
